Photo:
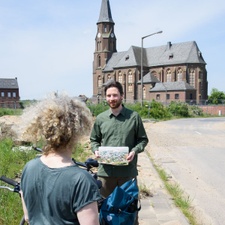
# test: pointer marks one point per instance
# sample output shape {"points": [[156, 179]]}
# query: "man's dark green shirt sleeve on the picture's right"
{"points": [[142, 139]]}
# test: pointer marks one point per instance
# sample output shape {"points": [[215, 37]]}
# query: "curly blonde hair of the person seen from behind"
{"points": [[59, 120]]}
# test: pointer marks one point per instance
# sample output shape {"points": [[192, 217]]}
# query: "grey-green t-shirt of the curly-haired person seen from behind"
{"points": [[54, 195]]}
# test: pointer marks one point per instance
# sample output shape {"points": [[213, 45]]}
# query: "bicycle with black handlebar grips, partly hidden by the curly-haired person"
{"points": [[87, 165]]}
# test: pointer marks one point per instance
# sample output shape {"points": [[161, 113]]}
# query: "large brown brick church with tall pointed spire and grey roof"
{"points": [[171, 72]]}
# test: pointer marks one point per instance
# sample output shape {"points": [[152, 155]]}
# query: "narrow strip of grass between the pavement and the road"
{"points": [[181, 200]]}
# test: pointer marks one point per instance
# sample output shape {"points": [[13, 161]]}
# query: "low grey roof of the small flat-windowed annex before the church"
{"points": [[172, 86]]}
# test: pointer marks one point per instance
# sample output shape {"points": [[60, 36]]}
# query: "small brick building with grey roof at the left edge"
{"points": [[9, 93]]}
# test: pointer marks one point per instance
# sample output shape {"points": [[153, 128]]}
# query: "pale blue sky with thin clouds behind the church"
{"points": [[49, 44]]}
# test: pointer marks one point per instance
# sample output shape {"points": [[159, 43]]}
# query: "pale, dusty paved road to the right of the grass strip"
{"points": [[192, 151]]}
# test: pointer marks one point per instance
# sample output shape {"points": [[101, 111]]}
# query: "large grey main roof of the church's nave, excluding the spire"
{"points": [[170, 54]]}
